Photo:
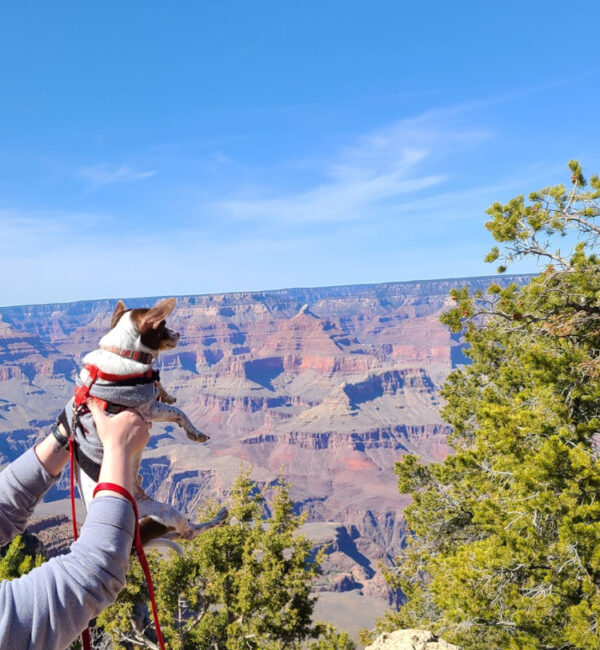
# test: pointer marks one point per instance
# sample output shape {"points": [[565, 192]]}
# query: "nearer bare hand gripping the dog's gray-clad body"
{"points": [[126, 432]]}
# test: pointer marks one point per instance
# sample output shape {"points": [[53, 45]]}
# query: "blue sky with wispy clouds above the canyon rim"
{"points": [[154, 148]]}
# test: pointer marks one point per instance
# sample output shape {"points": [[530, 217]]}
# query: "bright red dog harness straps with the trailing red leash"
{"points": [[82, 393]]}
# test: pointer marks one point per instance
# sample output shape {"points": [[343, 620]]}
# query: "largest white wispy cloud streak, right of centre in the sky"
{"points": [[384, 167]]}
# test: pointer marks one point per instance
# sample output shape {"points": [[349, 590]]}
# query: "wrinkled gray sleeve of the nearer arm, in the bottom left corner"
{"points": [[50, 606]]}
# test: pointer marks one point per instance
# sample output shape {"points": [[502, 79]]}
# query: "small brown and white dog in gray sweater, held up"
{"points": [[123, 376]]}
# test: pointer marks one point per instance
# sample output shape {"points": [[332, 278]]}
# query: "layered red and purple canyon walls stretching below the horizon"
{"points": [[324, 387]]}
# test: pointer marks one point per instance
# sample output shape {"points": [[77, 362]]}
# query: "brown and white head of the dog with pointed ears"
{"points": [[149, 324]]}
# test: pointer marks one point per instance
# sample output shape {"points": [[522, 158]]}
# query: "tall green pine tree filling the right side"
{"points": [[505, 545]]}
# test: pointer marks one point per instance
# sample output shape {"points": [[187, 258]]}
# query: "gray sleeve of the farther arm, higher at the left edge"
{"points": [[22, 485]]}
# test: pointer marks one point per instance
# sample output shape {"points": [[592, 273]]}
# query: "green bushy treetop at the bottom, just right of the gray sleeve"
{"points": [[245, 585]]}
